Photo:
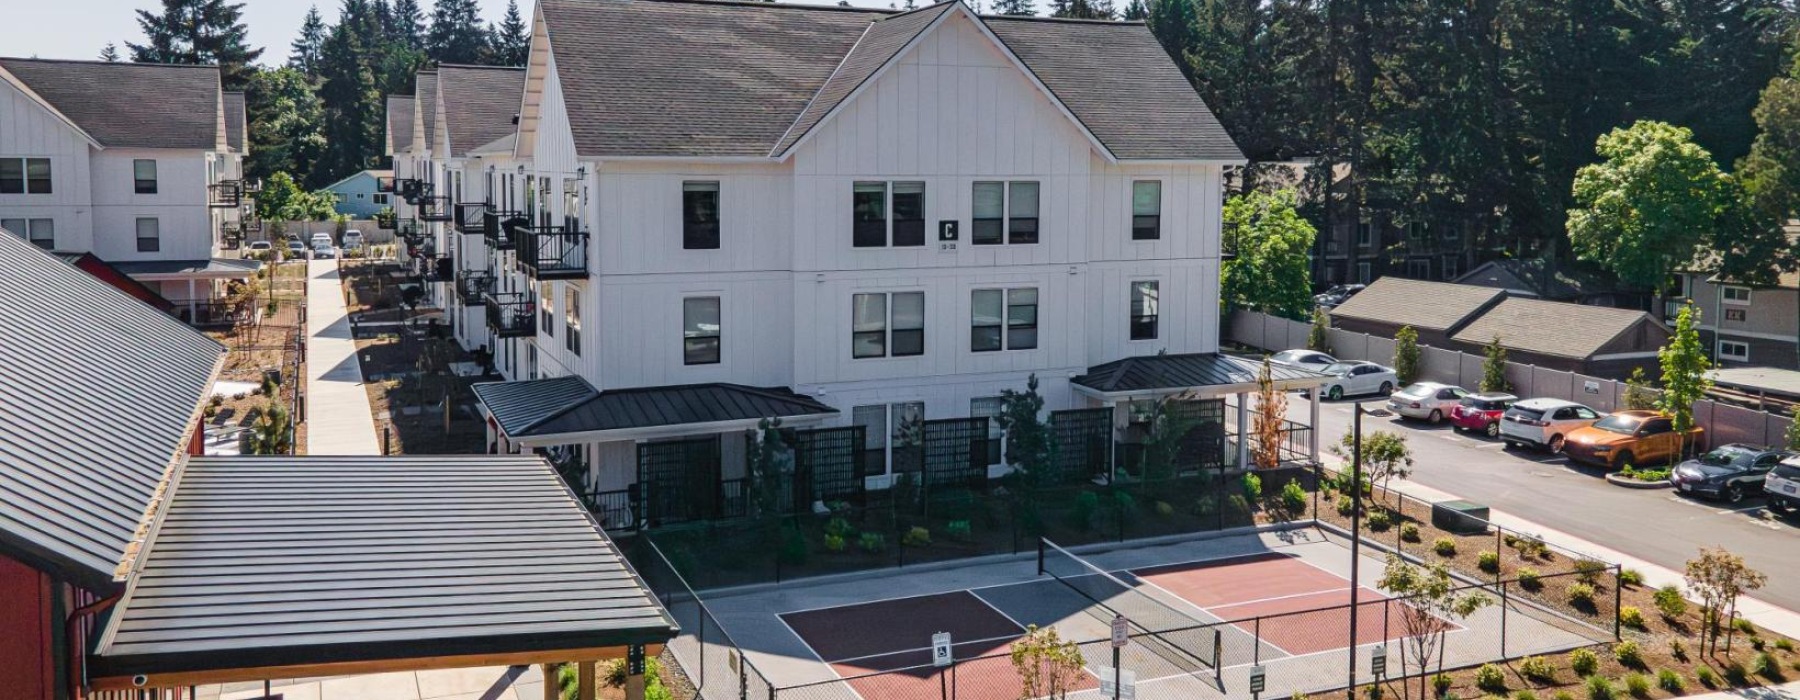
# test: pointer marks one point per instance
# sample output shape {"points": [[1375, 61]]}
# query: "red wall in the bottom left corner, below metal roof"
{"points": [[26, 652]]}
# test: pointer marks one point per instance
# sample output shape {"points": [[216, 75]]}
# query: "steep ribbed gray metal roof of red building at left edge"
{"points": [[100, 397]]}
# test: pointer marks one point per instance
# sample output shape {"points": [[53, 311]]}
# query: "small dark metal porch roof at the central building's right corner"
{"points": [[1183, 372]]}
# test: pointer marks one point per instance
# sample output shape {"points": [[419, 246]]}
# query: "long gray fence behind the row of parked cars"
{"points": [[1723, 422]]}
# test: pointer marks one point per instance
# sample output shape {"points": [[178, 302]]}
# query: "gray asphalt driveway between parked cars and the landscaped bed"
{"points": [[1653, 525]]}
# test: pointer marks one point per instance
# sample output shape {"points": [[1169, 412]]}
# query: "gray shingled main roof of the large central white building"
{"points": [[699, 78]]}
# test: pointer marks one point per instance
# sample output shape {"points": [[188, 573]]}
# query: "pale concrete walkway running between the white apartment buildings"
{"points": [[337, 409]]}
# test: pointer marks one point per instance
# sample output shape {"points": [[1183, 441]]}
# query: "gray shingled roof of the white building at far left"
{"points": [[130, 105]]}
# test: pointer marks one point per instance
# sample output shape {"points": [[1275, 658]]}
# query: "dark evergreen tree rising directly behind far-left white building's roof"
{"points": [[199, 33]]}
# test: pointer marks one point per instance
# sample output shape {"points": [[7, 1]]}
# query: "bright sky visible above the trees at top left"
{"points": [[82, 28]]}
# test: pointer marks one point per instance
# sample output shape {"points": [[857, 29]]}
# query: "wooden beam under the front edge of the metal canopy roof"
{"points": [[229, 676]]}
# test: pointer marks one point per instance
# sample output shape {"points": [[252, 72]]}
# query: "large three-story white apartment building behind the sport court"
{"points": [[865, 224]]}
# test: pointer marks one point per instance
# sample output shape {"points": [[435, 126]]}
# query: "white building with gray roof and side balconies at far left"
{"points": [[130, 163]]}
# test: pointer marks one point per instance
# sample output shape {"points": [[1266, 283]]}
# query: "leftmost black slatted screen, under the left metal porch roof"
{"points": [[679, 481]]}
